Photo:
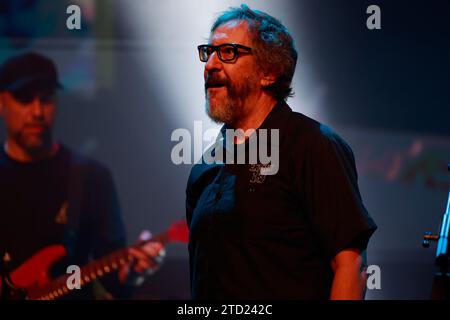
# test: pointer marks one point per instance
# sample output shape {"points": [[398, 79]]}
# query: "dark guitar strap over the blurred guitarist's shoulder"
{"points": [[78, 168]]}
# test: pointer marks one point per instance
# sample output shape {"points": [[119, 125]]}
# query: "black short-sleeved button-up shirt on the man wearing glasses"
{"points": [[256, 236]]}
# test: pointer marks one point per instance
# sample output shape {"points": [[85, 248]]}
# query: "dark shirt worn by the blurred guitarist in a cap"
{"points": [[34, 209]]}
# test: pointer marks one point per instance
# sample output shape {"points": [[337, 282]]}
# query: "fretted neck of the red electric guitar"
{"points": [[91, 271]]}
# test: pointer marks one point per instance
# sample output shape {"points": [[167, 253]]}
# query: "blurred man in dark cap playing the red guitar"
{"points": [[51, 195]]}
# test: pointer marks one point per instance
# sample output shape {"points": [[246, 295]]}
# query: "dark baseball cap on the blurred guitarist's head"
{"points": [[29, 75]]}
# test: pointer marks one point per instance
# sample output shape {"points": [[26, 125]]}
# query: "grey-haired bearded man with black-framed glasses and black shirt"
{"points": [[300, 233]]}
